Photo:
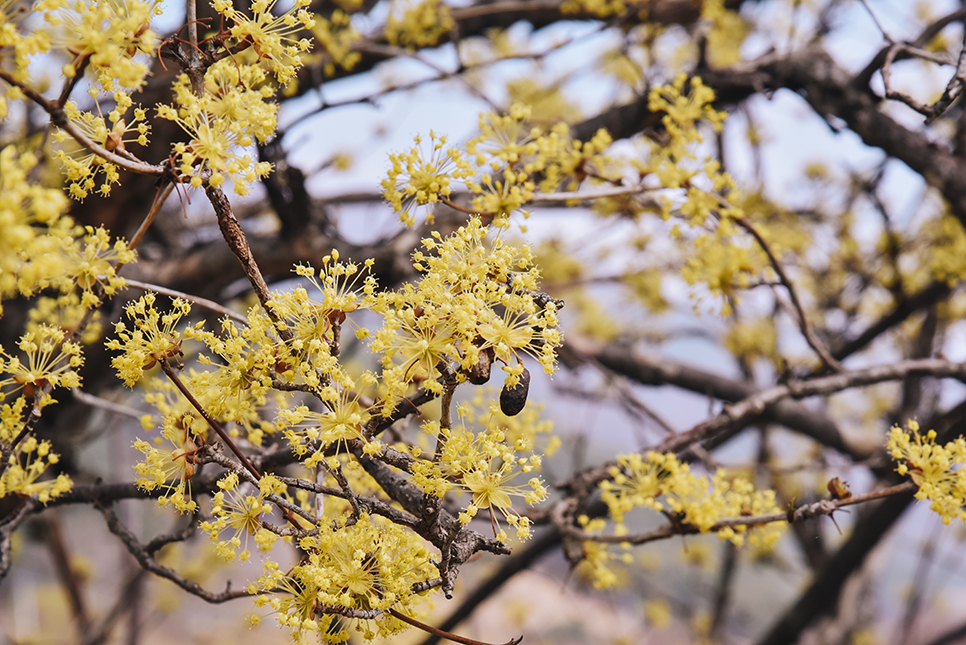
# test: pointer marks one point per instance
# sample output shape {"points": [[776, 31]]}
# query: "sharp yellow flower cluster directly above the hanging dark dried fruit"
{"points": [[471, 299]]}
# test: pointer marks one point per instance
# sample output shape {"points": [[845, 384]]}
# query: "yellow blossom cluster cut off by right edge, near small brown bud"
{"points": [[938, 471]]}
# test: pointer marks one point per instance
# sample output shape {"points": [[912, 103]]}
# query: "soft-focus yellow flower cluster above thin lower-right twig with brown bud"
{"points": [[661, 482]]}
